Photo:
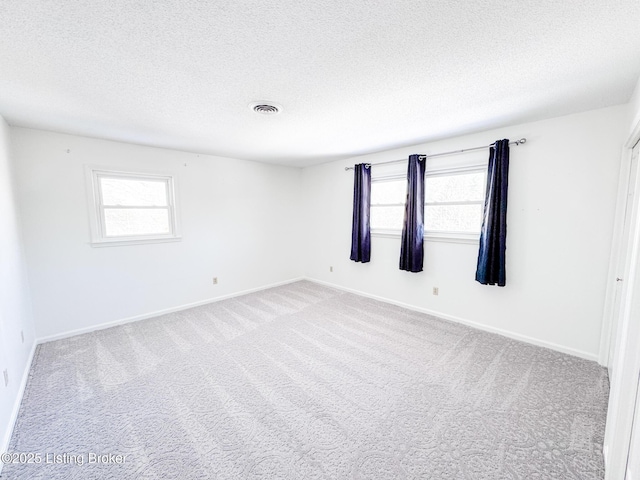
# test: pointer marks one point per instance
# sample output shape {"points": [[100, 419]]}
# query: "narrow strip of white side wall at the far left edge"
{"points": [[15, 309]]}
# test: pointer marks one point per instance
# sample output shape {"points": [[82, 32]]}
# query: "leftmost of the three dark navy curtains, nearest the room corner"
{"points": [[360, 229]]}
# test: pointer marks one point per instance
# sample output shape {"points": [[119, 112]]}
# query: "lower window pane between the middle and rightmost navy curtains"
{"points": [[453, 218]]}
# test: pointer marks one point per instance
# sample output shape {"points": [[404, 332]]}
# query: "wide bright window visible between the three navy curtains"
{"points": [[454, 200]]}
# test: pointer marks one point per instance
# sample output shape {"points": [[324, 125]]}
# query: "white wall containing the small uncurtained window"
{"points": [[239, 223]]}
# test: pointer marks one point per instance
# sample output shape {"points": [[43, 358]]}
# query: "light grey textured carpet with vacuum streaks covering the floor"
{"points": [[307, 382]]}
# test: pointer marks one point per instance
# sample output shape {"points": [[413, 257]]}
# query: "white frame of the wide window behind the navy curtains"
{"points": [[439, 169]]}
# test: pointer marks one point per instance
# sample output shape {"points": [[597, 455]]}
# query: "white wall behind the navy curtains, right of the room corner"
{"points": [[562, 200]]}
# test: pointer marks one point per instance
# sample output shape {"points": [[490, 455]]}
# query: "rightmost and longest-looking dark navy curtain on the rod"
{"points": [[493, 236]]}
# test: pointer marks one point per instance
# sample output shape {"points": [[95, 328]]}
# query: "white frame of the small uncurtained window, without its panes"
{"points": [[97, 223]]}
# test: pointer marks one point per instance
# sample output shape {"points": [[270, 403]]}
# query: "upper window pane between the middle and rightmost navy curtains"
{"points": [[455, 188]]}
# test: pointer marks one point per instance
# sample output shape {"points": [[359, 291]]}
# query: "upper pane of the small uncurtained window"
{"points": [[132, 192]]}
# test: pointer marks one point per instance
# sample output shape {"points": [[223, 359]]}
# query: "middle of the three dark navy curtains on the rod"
{"points": [[412, 248]]}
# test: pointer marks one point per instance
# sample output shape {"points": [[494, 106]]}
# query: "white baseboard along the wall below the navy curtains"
{"points": [[470, 323]]}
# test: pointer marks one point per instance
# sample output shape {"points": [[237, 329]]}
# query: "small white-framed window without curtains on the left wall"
{"points": [[129, 208]]}
